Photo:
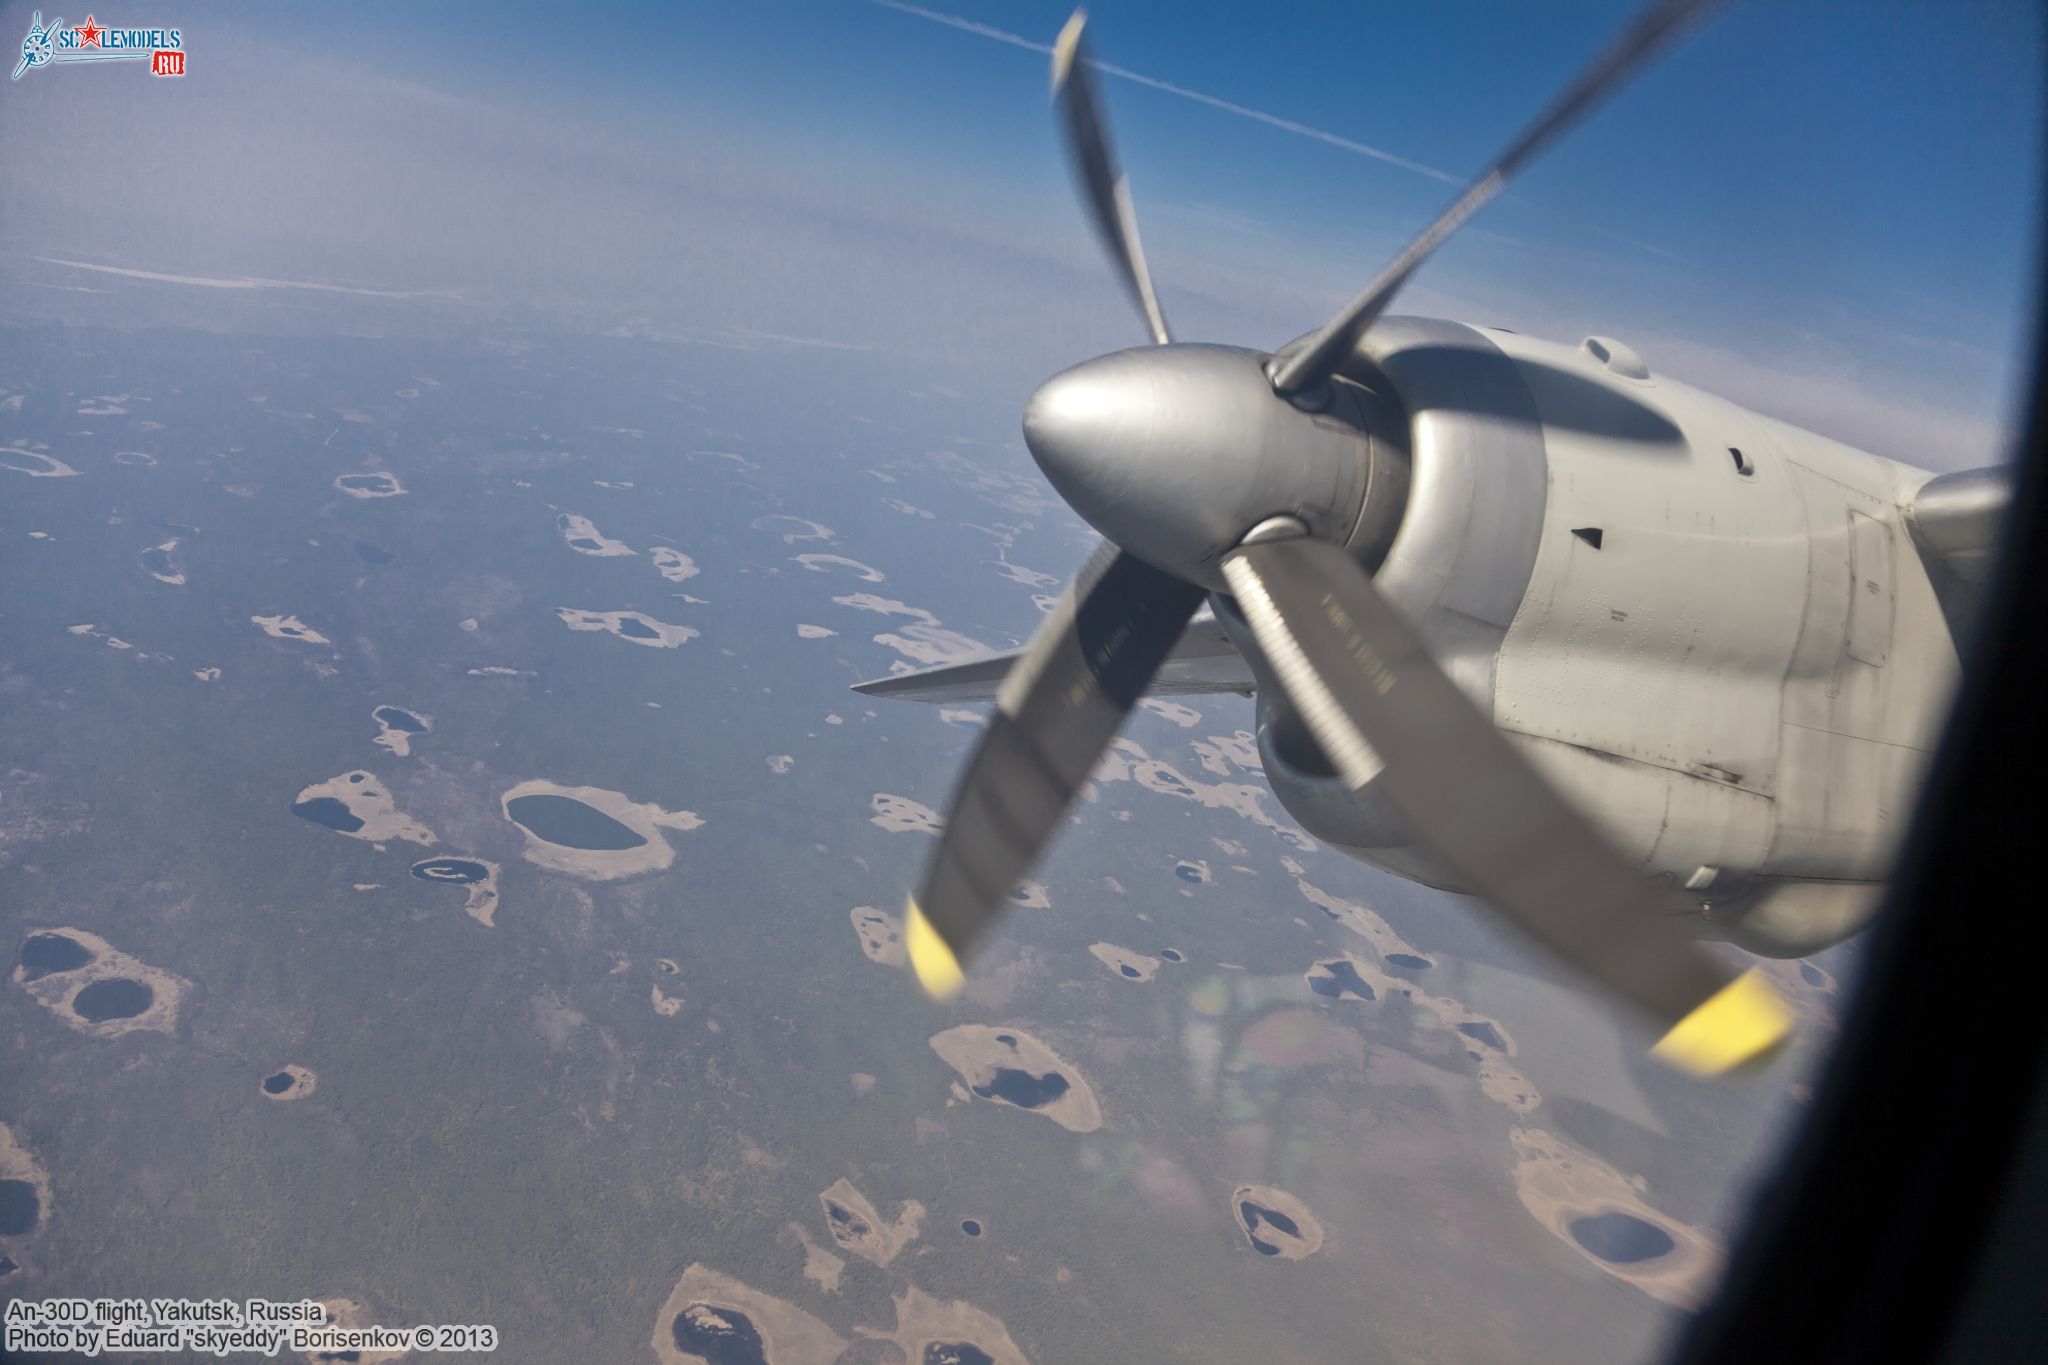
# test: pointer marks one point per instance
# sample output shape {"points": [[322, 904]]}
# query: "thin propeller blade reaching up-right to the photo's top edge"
{"points": [[1623, 58]]}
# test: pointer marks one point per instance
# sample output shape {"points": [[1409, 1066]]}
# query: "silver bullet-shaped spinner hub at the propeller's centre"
{"points": [[1177, 451]]}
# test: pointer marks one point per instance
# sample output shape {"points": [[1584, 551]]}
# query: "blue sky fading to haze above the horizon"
{"points": [[1824, 212]]}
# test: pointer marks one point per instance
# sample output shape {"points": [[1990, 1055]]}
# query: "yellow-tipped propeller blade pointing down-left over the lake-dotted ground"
{"points": [[1058, 711]]}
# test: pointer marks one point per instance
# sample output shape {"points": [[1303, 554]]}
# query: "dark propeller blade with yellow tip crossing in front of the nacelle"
{"points": [[1381, 707]]}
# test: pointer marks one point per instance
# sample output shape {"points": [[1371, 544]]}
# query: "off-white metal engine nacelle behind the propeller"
{"points": [[1644, 672]]}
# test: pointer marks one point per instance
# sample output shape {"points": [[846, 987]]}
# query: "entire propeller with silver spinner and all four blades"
{"points": [[1218, 470]]}
